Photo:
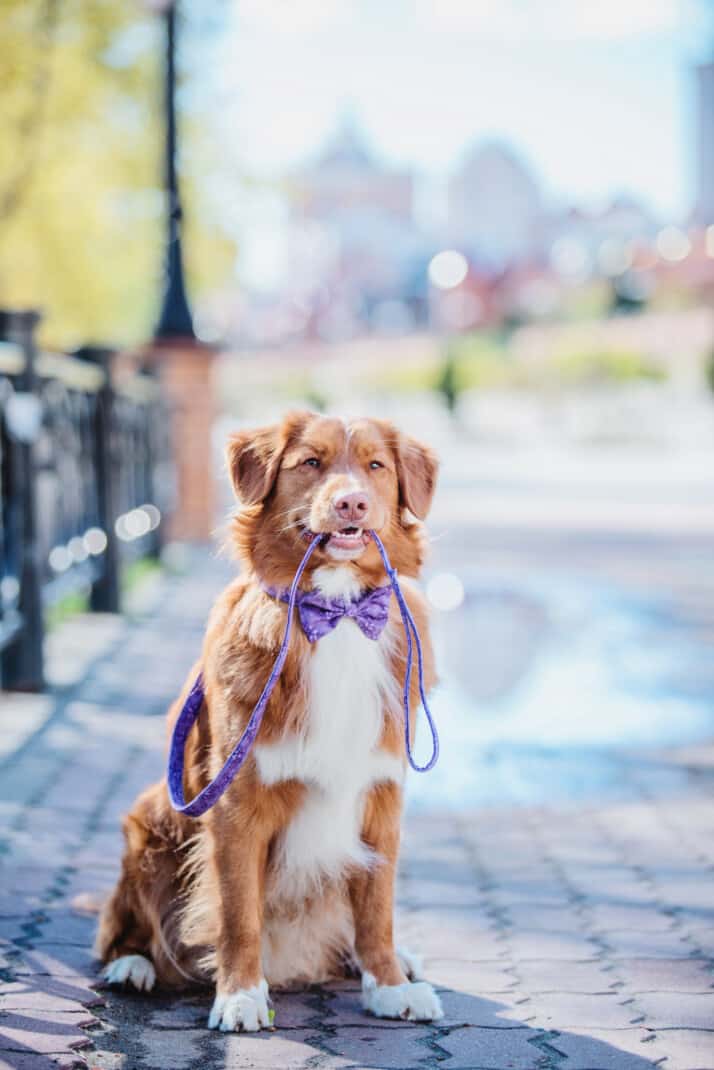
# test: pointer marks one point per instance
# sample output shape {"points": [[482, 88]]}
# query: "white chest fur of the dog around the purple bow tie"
{"points": [[338, 757]]}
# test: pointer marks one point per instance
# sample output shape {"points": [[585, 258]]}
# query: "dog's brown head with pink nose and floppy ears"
{"points": [[312, 475]]}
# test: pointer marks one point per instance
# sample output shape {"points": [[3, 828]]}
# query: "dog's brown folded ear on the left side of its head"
{"points": [[254, 457]]}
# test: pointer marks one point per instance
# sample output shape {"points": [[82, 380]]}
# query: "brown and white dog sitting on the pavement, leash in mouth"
{"points": [[290, 879]]}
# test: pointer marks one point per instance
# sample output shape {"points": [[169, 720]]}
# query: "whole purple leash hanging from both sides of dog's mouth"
{"points": [[192, 707]]}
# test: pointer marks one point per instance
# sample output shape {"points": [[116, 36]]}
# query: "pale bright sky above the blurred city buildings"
{"points": [[597, 98]]}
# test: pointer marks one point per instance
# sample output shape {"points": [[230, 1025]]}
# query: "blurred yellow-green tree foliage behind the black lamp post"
{"points": [[82, 212]]}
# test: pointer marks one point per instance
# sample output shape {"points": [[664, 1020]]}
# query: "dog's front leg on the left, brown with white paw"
{"points": [[241, 1000]]}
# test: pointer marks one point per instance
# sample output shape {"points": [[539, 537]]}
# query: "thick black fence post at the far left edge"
{"points": [[23, 661]]}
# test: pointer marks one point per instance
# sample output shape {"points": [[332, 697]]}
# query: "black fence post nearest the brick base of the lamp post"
{"points": [[105, 597]]}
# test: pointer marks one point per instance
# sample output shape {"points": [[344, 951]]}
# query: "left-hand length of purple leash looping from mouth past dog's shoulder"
{"points": [[192, 709]]}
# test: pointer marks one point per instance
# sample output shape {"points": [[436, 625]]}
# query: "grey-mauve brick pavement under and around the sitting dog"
{"points": [[574, 938]]}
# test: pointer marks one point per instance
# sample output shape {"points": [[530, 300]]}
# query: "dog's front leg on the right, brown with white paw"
{"points": [[386, 990]]}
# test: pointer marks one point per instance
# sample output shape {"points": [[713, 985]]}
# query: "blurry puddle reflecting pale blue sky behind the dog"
{"points": [[551, 686]]}
